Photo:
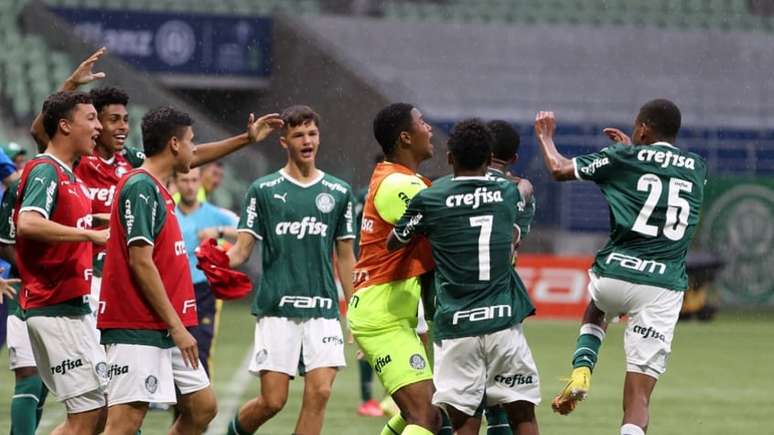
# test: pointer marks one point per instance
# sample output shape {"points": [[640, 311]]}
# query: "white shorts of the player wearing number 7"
{"points": [[496, 366]]}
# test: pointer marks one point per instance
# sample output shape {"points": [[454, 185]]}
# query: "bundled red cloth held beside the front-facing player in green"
{"points": [[225, 282]]}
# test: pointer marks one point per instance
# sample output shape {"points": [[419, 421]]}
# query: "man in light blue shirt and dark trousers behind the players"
{"points": [[199, 220]]}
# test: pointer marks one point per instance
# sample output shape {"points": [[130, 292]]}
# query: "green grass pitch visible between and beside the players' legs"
{"points": [[718, 381]]}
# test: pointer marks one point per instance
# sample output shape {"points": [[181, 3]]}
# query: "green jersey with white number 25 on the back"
{"points": [[654, 194]]}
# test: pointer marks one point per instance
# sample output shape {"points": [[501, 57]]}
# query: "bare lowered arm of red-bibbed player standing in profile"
{"points": [[152, 288]]}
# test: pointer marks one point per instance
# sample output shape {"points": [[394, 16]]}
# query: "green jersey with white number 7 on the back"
{"points": [[469, 222]]}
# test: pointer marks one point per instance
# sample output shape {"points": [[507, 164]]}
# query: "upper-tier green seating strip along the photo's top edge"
{"points": [[668, 14]]}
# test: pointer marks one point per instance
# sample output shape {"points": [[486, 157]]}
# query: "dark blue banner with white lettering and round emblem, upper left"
{"points": [[179, 43]]}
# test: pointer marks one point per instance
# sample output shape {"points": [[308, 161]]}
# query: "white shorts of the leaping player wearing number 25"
{"points": [[652, 312]]}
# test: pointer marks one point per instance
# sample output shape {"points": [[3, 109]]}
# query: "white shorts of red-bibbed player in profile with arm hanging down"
{"points": [[140, 373]]}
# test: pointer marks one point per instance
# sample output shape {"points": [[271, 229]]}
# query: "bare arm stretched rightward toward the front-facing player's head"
{"points": [[257, 130]]}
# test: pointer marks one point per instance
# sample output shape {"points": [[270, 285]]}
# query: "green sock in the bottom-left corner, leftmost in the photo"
{"points": [[27, 405]]}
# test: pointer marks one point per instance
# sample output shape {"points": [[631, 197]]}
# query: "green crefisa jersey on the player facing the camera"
{"points": [[298, 224]]}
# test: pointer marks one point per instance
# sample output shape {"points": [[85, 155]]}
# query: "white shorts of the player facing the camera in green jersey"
{"points": [[281, 343]]}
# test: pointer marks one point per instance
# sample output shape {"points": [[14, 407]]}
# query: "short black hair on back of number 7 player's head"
{"points": [[470, 142]]}
